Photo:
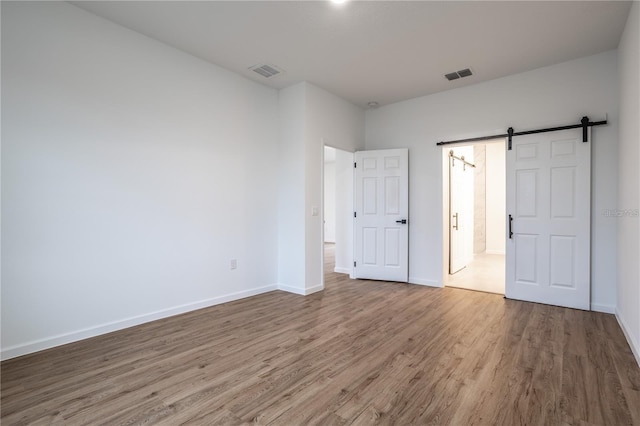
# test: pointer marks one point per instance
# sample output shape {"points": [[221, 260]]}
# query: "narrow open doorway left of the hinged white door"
{"points": [[338, 212]]}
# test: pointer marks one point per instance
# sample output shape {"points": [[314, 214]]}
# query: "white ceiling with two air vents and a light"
{"points": [[384, 51]]}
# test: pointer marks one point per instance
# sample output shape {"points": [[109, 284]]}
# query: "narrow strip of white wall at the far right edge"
{"points": [[628, 308]]}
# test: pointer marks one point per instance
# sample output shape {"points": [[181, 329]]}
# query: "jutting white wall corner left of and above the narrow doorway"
{"points": [[310, 119]]}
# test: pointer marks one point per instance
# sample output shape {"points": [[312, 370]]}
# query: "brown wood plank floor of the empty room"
{"points": [[361, 352]]}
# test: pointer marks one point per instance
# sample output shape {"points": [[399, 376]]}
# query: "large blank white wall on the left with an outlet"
{"points": [[131, 174]]}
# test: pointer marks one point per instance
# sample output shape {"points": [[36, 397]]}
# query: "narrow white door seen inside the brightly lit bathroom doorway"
{"points": [[461, 196]]}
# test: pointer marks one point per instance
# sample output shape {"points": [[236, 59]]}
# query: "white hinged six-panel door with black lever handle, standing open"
{"points": [[381, 248]]}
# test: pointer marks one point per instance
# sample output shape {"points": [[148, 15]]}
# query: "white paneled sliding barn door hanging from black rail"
{"points": [[548, 219]]}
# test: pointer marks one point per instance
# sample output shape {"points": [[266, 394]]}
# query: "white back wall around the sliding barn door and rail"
{"points": [[554, 95]]}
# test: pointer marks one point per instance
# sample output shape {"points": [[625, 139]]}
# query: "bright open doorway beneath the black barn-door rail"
{"points": [[475, 205]]}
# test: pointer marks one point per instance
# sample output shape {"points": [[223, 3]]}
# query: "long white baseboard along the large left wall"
{"points": [[74, 336]]}
